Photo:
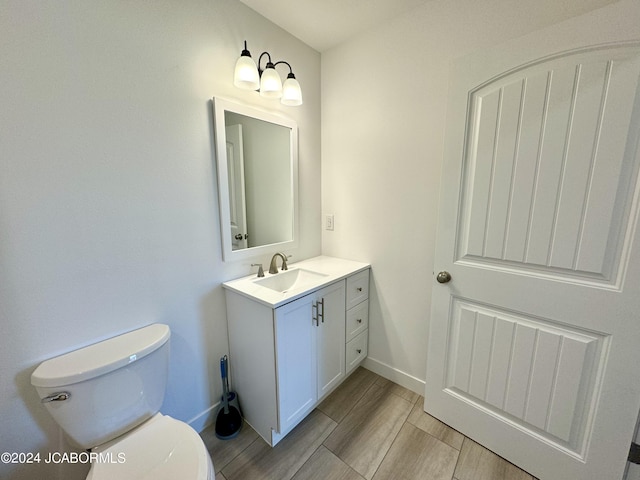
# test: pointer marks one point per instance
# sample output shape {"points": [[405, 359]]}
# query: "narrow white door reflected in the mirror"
{"points": [[237, 198]]}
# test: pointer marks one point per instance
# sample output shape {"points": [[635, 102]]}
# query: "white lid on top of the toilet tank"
{"points": [[100, 358]]}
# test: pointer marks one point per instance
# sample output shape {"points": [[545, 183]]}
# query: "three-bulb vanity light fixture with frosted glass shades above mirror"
{"points": [[248, 76]]}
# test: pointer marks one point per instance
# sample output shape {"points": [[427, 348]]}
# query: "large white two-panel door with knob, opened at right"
{"points": [[534, 344]]}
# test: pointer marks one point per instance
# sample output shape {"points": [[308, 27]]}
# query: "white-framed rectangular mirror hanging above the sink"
{"points": [[257, 164]]}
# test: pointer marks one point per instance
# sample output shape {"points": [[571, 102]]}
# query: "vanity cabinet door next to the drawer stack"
{"points": [[330, 337]]}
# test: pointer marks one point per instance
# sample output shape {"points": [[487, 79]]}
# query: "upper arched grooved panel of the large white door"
{"points": [[546, 179]]}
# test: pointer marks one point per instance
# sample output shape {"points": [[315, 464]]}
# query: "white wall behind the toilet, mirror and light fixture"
{"points": [[108, 197]]}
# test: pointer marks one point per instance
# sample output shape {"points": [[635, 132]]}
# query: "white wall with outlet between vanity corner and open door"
{"points": [[384, 99]]}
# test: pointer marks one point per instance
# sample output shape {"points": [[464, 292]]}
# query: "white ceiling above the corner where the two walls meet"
{"points": [[323, 24]]}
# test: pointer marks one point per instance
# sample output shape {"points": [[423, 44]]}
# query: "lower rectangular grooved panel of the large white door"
{"points": [[530, 372]]}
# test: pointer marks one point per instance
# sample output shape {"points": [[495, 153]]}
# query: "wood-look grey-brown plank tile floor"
{"points": [[368, 428]]}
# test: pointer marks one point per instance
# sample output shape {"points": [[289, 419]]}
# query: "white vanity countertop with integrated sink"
{"points": [[312, 274]]}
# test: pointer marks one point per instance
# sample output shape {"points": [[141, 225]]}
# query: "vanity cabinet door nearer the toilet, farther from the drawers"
{"points": [[296, 361]]}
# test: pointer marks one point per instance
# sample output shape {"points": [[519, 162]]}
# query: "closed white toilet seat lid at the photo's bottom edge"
{"points": [[161, 448]]}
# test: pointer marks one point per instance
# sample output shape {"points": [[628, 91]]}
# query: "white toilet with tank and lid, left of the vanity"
{"points": [[107, 398]]}
